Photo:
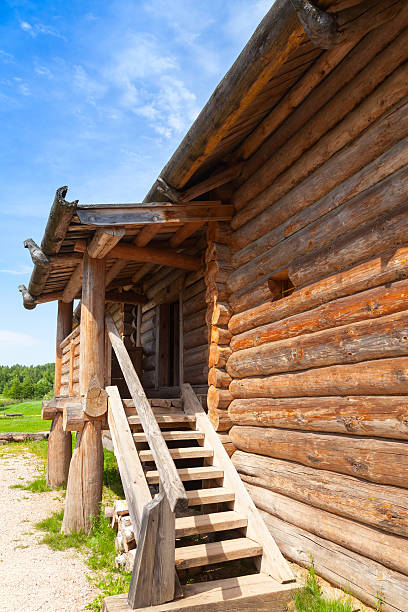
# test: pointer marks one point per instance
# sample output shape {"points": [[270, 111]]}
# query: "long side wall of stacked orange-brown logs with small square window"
{"points": [[309, 358]]}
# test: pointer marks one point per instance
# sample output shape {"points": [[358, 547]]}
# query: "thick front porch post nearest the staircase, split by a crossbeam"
{"points": [[84, 490]]}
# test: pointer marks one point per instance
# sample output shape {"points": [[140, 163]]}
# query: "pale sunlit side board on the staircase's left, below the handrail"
{"points": [[135, 487]]}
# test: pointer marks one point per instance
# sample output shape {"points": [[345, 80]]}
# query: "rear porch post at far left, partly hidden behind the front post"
{"points": [[60, 441]]}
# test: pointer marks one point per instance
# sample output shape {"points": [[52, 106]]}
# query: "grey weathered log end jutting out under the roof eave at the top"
{"points": [[320, 26]]}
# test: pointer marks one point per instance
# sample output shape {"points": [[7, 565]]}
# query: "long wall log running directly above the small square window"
{"points": [[363, 208]]}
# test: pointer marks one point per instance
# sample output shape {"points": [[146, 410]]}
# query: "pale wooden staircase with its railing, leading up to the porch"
{"points": [[202, 514]]}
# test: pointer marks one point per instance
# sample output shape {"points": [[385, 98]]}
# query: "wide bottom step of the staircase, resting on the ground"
{"points": [[256, 593]]}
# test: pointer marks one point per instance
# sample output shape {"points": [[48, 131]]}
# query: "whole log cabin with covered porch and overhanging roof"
{"points": [[265, 276]]}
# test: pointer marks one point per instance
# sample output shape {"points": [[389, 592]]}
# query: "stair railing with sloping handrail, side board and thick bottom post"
{"points": [[154, 580]]}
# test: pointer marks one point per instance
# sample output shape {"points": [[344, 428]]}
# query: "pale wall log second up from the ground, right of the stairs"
{"points": [[389, 550]]}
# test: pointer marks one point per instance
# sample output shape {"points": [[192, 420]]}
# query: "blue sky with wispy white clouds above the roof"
{"points": [[95, 95]]}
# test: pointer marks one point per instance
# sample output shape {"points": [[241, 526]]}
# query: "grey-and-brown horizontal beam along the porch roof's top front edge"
{"points": [[154, 212]]}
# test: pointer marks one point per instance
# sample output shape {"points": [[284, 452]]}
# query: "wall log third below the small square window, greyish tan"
{"points": [[378, 338]]}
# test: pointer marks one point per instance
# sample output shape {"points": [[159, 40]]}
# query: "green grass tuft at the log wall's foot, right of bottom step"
{"points": [[311, 599]]}
